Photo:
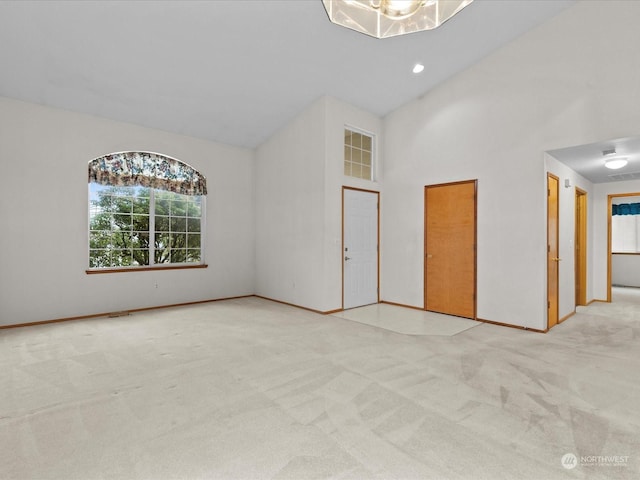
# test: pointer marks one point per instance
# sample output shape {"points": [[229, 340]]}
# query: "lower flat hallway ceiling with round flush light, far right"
{"points": [[588, 160]]}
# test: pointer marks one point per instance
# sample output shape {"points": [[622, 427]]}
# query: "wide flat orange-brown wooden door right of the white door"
{"points": [[450, 248]]}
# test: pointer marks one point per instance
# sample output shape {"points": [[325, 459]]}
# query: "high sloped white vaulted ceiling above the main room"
{"points": [[232, 71]]}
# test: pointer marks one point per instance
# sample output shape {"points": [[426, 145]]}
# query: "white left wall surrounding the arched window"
{"points": [[43, 195]]}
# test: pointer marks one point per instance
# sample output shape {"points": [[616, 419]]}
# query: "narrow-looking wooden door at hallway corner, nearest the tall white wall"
{"points": [[553, 229]]}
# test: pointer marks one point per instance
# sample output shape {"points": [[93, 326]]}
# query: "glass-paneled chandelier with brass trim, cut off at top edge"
{"points": [[388, 18]]}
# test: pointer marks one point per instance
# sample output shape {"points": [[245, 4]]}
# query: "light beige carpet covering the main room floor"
{"points": [[251, 389]]}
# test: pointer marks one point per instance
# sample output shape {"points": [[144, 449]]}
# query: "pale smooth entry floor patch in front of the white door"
{"points": [[407, 320]]}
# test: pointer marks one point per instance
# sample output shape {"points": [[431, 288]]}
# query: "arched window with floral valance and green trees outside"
{"points": [[145, 210]]}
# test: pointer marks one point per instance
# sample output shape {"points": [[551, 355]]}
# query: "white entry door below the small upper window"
{"points": [[360, 248]]}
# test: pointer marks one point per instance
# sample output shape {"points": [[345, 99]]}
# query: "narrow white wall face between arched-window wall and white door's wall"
{"points": [[290, 211]]}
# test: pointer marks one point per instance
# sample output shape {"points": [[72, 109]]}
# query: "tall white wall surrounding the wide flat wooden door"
{"points": [[571, 81]]}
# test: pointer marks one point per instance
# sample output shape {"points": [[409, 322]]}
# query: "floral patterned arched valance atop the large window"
{"points": [[147, 169]]}
